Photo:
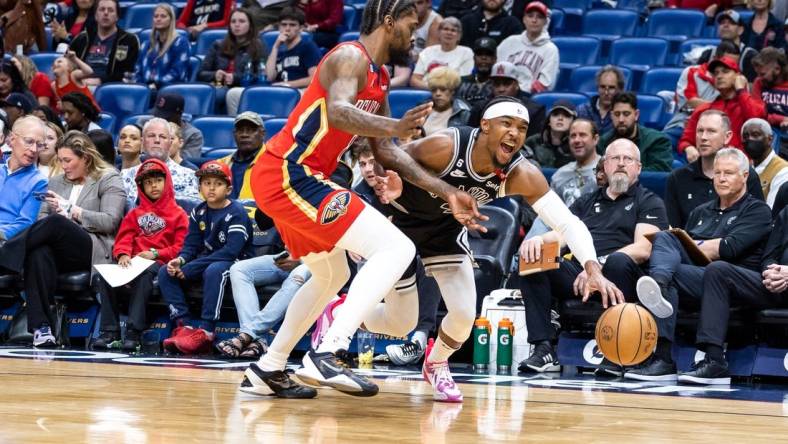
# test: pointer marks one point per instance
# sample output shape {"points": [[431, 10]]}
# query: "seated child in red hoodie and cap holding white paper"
{"points": [[154, 230]]}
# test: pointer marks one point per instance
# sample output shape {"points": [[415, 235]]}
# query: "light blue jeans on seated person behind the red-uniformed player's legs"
{"points": [[245, 275]]}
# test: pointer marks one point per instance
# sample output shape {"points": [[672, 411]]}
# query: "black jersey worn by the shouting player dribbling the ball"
{"points": [[417, 203]]}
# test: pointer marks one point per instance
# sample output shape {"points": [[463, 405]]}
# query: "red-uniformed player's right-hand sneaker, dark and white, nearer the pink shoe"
{"points": [[325, 369]]}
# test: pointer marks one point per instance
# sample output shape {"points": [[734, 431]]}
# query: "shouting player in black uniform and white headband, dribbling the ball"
{"points": [[486, 163]]}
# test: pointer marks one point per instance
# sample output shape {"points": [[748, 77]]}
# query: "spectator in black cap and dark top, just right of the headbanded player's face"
{"points": [[551, 146]]}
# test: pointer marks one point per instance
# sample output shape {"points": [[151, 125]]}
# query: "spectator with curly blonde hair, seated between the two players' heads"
{"points": [[447, 110]]}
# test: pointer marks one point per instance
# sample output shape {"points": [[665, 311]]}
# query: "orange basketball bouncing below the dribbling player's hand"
{"points": [[626, 334]]}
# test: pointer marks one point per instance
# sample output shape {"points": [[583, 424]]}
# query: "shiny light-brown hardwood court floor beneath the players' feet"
{"points": [[73, 402]]}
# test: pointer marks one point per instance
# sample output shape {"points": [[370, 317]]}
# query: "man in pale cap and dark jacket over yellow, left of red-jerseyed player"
{"points": [[249, 134]]}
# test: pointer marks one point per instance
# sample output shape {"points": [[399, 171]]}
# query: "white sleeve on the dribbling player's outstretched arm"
{"points": [[552, 210]]}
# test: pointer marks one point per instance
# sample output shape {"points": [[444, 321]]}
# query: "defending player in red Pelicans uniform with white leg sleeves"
{"points": [[319, 221]]}
